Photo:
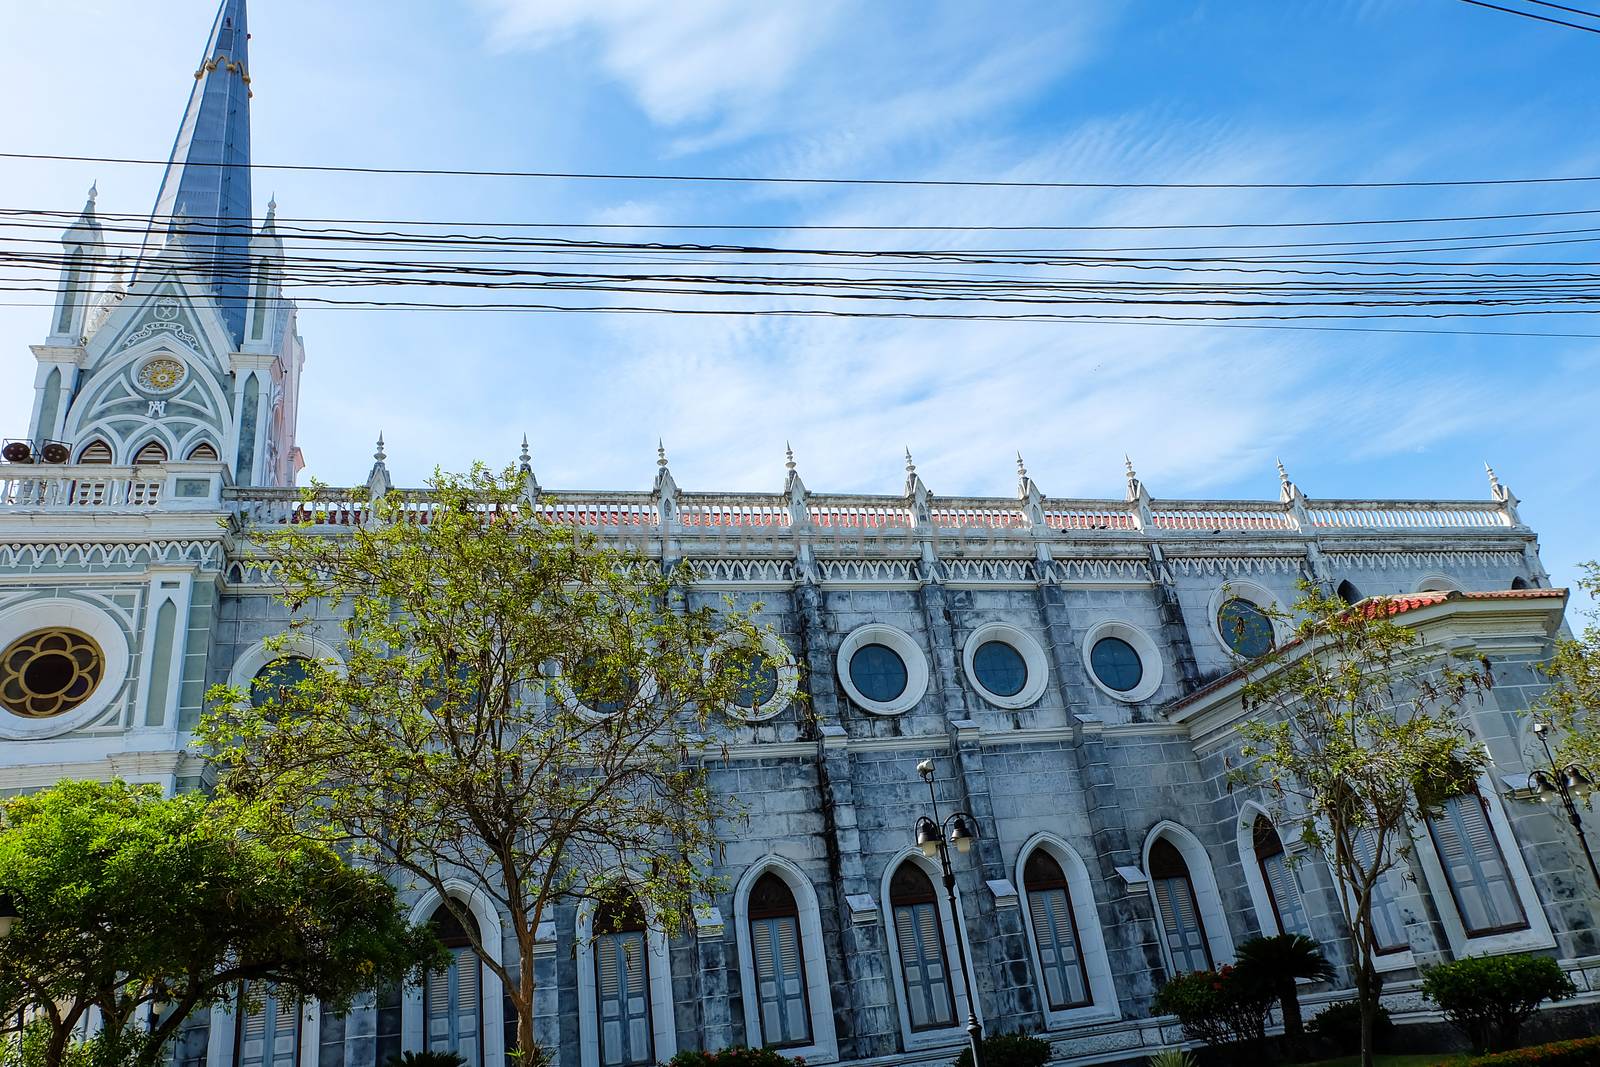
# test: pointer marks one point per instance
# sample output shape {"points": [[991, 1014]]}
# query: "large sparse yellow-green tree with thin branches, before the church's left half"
{"points": [[519, 706]]}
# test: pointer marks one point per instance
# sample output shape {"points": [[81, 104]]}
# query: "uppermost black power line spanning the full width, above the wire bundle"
{"points": [[932, 183]]}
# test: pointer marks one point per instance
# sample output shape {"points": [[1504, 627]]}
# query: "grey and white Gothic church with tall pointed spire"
{"points": [[1070, 668]]}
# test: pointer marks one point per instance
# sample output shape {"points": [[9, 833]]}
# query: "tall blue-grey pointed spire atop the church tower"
{"points": [[207, 180]]}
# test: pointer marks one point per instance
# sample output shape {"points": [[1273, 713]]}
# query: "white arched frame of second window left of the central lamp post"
{"points": [[820, 999]]}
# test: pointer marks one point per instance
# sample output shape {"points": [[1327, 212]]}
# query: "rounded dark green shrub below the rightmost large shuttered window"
{"points": [[1490, 997]]}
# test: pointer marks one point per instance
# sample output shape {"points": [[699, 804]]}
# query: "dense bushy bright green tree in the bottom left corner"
{"points": [[132, 901]]}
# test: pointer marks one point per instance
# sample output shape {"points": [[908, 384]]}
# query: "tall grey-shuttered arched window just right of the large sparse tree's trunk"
{"points": [[623, 985]]}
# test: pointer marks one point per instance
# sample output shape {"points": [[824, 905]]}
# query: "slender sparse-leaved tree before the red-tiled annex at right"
{"points": [[1359, 733]]}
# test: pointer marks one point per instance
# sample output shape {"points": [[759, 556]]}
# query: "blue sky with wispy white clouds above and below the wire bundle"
{"points": [[1116, 90]]}
